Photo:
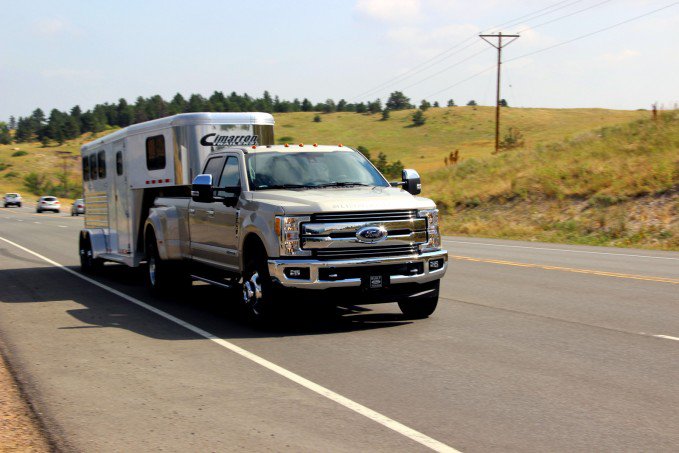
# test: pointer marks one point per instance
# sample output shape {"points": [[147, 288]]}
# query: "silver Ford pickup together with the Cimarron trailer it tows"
{"points": [[207, 197]]}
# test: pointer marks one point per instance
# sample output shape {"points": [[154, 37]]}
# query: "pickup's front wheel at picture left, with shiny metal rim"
{"points": [[258, 292]]}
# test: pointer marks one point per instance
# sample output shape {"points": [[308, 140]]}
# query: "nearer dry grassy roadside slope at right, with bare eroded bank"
{"points": [[611, 186]]}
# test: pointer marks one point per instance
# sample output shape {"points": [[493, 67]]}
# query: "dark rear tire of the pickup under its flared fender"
{"points": [[162, 276]]}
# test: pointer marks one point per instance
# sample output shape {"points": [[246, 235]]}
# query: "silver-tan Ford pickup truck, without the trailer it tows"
{"points": [[299, 221]]}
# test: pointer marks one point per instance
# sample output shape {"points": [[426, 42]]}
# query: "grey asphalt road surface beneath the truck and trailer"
{"points": [[534, 347]]}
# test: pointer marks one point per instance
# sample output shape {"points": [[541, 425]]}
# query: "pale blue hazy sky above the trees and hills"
{"points": [[59, 54]]}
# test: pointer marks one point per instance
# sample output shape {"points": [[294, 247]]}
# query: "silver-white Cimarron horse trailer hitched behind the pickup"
{"points": [[125, 171]]}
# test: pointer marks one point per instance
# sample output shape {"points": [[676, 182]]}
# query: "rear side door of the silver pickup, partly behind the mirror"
{"points": [[204, 245]]}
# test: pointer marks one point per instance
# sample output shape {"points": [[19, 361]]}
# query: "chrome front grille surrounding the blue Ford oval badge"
{"points": [[334, 235]]}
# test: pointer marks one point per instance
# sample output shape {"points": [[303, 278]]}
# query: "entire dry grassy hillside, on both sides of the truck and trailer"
{"points": [[583, 175]]}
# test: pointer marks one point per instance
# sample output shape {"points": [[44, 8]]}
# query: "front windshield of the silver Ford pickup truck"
{"points": [[311, 169]]}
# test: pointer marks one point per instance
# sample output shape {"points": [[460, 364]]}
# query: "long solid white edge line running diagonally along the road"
{"points": [[336, 397]]}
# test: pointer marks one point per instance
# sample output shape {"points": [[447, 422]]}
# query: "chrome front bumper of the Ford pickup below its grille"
{"points": [[352, 272]]}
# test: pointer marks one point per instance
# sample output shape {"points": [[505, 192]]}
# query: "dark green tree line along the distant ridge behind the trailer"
{"points": [[61, 126]]}
